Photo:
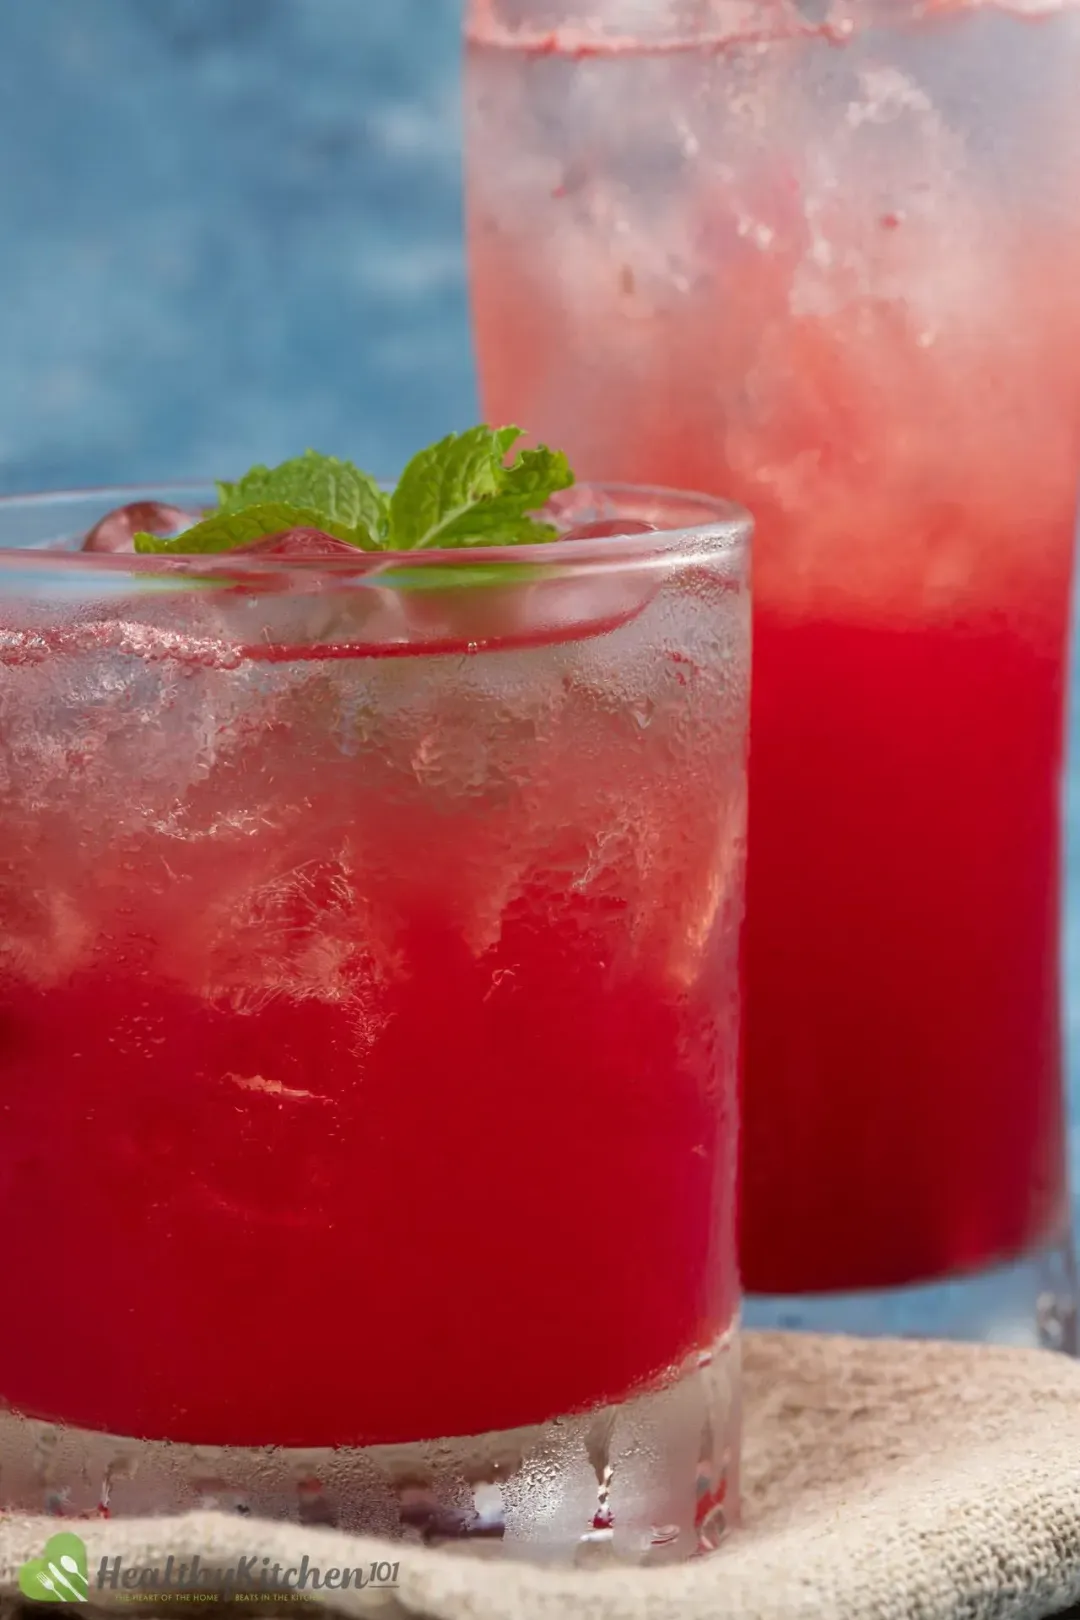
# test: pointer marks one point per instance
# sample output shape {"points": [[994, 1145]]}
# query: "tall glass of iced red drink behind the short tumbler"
{"points": [[828, 260]]}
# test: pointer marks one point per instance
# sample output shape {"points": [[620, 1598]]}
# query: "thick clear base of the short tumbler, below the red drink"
{"points": [[648, 1481]]}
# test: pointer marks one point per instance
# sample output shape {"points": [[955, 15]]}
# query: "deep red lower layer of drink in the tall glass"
{"points": [[908, 1013]]}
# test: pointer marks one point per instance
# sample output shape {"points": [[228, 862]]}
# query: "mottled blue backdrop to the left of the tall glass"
{"points": [[229, 229]]}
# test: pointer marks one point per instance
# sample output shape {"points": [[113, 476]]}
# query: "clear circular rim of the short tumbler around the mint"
{"points": [[726, 531]]}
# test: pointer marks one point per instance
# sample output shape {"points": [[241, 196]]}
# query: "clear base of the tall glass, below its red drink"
{"points": [[1031, 1302]]}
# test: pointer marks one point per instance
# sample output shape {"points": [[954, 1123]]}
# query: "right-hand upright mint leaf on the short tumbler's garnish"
{"points": [[462, 493]]}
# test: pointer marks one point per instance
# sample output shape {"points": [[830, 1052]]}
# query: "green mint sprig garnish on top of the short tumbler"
{"points": [[457, 493]]}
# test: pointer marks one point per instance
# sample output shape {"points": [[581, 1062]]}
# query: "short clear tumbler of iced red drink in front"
{"points": [[370, 1028]]}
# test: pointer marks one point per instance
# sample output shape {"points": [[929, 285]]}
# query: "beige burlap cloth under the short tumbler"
{"points": [[880, 1480]]}
